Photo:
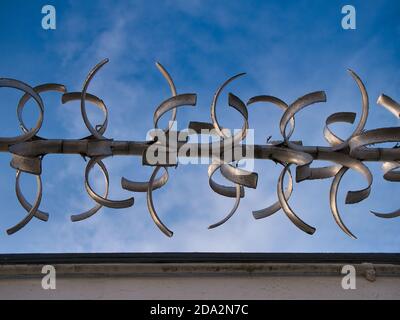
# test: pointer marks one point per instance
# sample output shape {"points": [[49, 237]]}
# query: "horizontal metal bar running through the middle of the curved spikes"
{"points": [[88, 147]]}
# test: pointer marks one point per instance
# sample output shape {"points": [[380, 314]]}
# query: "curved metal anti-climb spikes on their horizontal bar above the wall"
{"points": [[28, 150]]}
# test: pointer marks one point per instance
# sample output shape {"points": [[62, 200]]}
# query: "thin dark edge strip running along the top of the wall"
{"points": [[191, 257]]}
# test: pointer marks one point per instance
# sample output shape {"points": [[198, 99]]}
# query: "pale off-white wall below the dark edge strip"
{"points": [[200, 281]]}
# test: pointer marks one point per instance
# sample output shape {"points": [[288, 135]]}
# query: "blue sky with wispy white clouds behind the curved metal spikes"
{"points": [[287, 48]]}
